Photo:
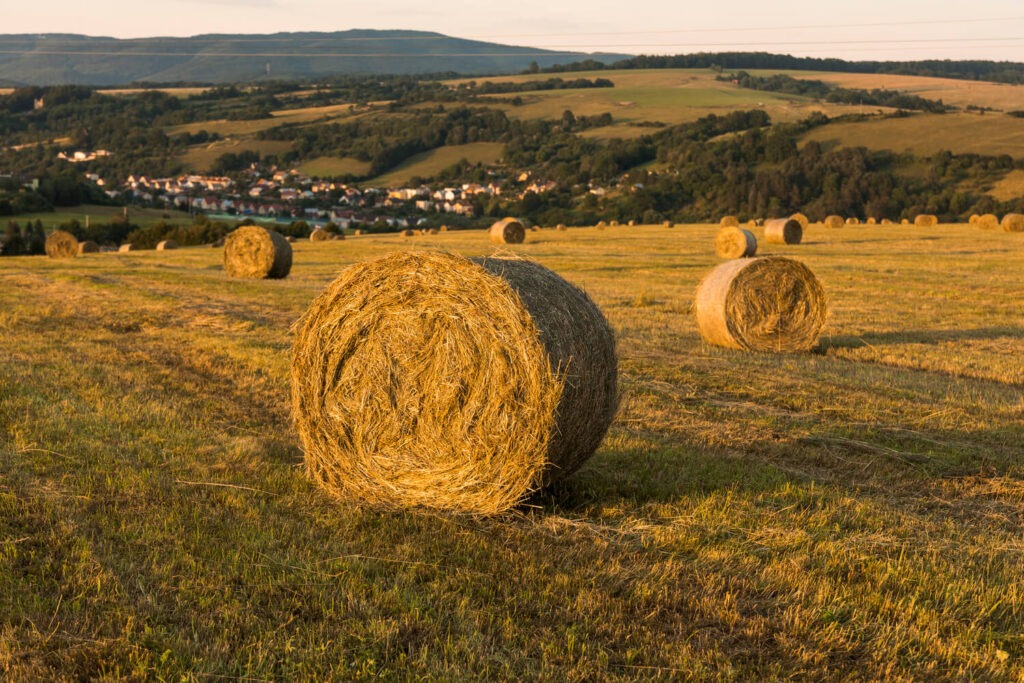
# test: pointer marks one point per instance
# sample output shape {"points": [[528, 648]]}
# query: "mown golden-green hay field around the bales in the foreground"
{"points": [[855, 513]]}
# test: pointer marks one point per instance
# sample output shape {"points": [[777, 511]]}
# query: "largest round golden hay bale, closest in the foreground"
{"points": [[429, 379]]}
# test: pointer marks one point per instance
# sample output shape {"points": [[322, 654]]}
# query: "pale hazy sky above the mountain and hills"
{"points": [[862, 30]]}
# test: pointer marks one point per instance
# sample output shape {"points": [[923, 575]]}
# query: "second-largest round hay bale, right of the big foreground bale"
{"points": [[771, 304]]}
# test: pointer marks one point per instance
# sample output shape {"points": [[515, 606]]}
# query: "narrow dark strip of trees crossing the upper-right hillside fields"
{"points": [[822, 91]]}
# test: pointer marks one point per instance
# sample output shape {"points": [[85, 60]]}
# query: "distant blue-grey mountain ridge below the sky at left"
{"points": [[76, 60]]}
